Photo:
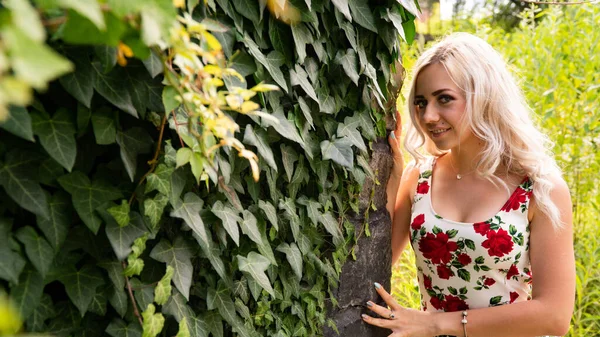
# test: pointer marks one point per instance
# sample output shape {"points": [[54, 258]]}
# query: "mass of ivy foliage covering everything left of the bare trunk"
{"points": [[127, 181]]}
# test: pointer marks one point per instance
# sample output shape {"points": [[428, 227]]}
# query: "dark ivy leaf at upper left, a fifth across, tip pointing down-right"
{"points": [[112, 87]]}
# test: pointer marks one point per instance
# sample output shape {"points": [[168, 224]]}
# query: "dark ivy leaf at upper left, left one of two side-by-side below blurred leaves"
{"points": [[80, 83]]}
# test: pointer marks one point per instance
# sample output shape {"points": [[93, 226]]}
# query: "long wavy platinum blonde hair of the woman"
{"points": [[496, 112]]}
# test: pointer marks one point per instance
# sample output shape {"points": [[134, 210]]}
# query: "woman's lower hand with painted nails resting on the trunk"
{"points": [[402, 321]]}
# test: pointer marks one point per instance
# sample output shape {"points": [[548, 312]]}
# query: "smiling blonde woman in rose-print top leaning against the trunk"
{"points": [[487, 213]]}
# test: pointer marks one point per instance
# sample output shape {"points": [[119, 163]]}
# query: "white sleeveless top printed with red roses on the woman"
{"points": [[471, 265]]}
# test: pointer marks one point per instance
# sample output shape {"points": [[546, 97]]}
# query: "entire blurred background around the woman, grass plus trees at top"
{"points": [[554, 52]]}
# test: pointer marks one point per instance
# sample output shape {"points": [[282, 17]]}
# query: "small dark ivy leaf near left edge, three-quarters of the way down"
{"points": [[38, 250]]}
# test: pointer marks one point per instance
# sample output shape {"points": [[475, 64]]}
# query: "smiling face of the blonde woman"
{"points": [[440, 107]]}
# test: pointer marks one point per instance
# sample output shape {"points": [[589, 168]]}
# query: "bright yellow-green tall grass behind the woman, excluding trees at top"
{"points": [[556, 60]]}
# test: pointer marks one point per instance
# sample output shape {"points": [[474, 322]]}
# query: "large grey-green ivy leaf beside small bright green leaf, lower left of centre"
{"points": [[176, 255]]}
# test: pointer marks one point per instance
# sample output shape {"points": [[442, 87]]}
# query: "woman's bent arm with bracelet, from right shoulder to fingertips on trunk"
{"points": [[547, 313]]}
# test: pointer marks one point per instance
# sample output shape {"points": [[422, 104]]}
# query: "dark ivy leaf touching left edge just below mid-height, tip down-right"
{"points": [[20, 185]]}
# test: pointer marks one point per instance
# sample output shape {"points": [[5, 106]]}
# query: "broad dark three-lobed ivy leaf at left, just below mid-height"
{"points": [[88, 196]]}
